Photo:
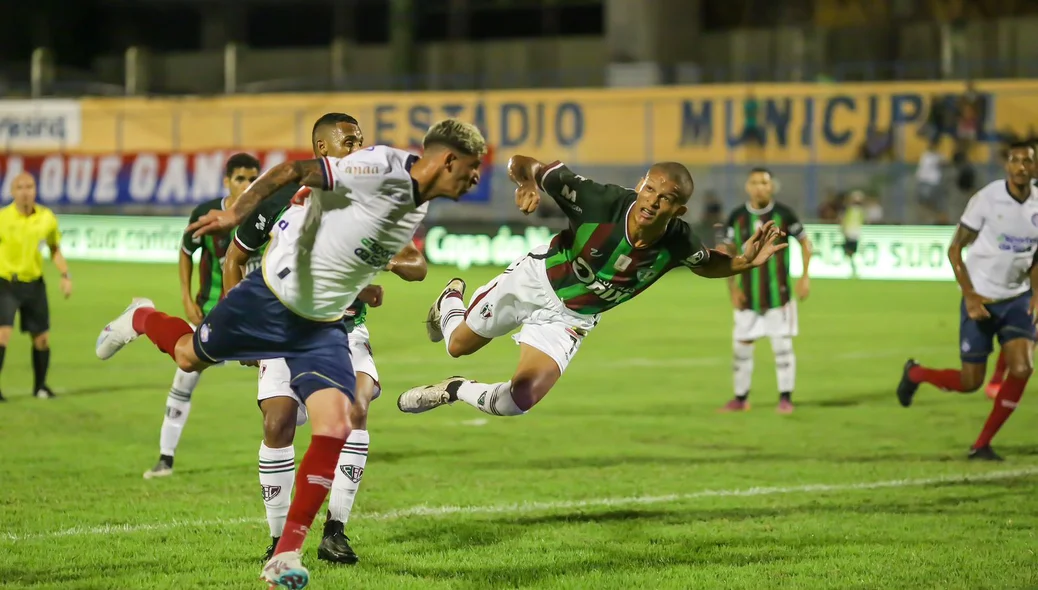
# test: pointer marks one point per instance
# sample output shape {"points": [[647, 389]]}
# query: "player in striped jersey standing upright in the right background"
{"points": [[762, 298]]}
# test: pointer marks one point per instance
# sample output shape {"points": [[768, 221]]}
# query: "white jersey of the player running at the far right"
{"points": [[999, 262]]}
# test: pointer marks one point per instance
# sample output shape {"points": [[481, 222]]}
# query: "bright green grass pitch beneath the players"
{"points": [[624, 477]]}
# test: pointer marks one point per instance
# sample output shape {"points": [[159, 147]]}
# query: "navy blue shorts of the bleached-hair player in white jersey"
{"points": [[252, 325]]}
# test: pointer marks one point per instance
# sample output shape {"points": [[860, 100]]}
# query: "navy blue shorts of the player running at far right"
{"points": [[1010, 320]]}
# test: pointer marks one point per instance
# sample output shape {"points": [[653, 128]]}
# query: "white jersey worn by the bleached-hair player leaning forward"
{"points": [[324, 253]]}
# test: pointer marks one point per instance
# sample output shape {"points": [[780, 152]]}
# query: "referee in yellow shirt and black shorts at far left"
{"points": [[25, 227]]}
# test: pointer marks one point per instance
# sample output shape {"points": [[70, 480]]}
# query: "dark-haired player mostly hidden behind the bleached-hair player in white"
{"points": [[335, 136]]}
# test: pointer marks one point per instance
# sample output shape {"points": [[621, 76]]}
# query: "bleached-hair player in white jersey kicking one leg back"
{"points": [[324, 254]]}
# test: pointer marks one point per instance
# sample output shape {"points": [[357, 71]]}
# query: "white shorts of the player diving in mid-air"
{"points": [[523, 297]]}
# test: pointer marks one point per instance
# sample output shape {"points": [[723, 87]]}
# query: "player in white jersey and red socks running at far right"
{"points": [[1000, 226]]}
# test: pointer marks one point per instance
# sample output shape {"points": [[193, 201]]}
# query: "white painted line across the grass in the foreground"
{"points": [[529, 507]]}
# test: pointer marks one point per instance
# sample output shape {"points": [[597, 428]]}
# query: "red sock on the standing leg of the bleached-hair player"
{"points": [[313, 482]]}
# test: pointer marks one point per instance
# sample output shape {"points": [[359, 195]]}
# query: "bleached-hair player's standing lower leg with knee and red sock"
{"points": [[331, 425]]}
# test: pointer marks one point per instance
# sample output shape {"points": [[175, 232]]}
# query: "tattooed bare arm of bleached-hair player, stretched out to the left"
{"points": [[308, 173]]}
